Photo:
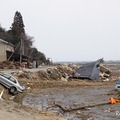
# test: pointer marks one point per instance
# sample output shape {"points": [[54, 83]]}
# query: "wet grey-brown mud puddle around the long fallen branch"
{"points": [[74, 97]]}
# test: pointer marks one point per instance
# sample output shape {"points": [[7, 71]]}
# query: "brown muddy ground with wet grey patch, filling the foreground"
{"points": [[44, 100]]}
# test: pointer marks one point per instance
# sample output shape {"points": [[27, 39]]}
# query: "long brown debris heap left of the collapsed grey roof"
{"points": [[60, 72]]}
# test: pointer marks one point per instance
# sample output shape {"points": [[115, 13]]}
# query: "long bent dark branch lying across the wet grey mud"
{"points": [[79, 108]]}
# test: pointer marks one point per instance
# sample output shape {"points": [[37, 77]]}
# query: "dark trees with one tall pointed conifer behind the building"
{"points": [[16, 35]]}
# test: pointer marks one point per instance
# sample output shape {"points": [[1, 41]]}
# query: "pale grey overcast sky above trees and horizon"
{"points": [[69, 30]]}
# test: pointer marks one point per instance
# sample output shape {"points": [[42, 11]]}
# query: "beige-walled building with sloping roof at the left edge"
{"points": [[4, 48]]}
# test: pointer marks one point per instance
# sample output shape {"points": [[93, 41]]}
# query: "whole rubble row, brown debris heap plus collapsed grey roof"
{"points": [[94, 71]]}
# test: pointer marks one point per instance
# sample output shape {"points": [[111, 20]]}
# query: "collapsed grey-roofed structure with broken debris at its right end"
{"points": [[92, 71]]}
